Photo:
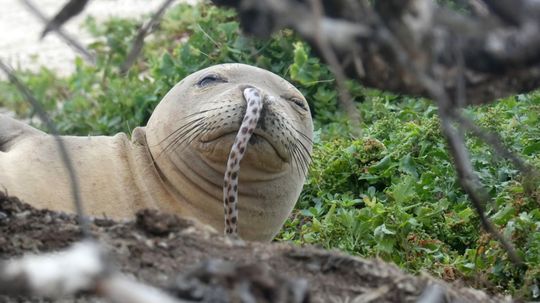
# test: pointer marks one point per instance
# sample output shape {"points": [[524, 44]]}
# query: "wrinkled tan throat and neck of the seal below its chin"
{"points": [[189, 185]]}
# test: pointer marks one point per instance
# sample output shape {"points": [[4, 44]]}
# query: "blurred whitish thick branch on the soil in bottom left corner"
{"points": [[82, 267]]}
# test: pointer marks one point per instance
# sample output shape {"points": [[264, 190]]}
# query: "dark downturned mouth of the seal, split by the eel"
{"points": [[259, 138]]}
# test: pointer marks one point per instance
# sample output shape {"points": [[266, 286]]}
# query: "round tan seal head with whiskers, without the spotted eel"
{"points": [[191, 132]]}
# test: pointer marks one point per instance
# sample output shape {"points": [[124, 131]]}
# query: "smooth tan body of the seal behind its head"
{"points": [[114, 181]]}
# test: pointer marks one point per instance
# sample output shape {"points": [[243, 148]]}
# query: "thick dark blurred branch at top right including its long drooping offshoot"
{"points": [[419, 48]]}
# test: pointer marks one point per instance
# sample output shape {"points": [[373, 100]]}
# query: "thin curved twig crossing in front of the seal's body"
{"points": [[42, 114]]}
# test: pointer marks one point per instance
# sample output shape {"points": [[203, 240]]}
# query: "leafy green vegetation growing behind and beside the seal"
{"points": [[392, 193]]}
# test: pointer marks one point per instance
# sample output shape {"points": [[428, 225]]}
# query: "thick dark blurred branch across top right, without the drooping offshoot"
{"points": [[500, 58]]}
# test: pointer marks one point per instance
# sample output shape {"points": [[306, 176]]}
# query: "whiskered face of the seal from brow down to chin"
{"points": [[216, 107]]}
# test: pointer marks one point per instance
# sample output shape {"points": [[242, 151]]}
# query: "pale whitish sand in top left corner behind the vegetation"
{"points": [[21, 47]]}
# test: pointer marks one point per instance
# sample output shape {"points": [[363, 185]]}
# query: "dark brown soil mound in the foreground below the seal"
{"points": [[196, 264]]}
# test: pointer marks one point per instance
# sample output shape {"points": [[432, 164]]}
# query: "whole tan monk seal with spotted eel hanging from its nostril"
{"points": [[177, 162]]}
